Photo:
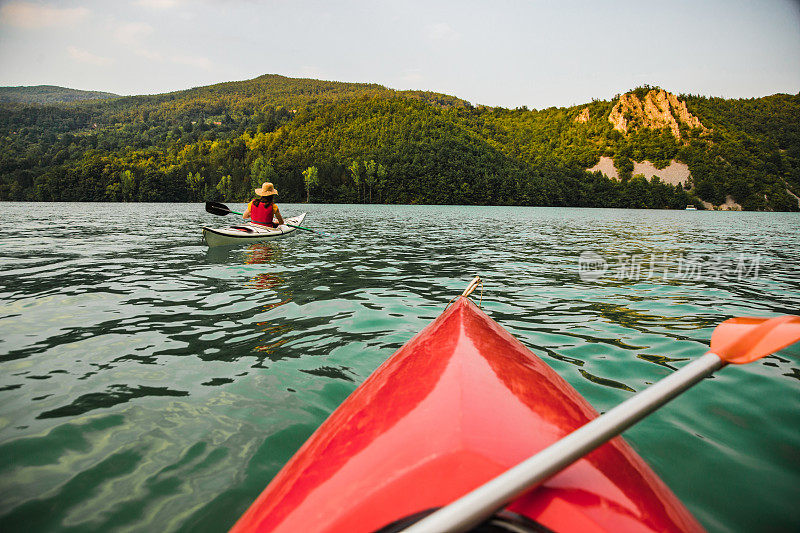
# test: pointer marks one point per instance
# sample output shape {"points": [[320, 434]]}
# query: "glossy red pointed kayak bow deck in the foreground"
{"points": [[456, 406]]}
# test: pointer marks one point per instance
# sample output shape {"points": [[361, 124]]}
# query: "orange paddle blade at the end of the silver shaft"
{"points": [[745, 339]]}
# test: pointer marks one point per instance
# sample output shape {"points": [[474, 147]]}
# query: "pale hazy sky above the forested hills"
{"points": [[509, 53]]}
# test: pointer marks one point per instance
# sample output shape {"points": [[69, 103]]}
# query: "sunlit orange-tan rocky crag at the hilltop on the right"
{"points": [[657, 110]]}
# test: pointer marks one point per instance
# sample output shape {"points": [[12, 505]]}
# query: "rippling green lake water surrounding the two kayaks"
{"points": [[149, 383]]}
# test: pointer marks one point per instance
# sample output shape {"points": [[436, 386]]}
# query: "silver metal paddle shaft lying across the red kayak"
{"points": [[478, 505]]}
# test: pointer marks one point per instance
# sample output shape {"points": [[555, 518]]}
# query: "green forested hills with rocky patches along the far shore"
{"points": [[350, 142]]}
